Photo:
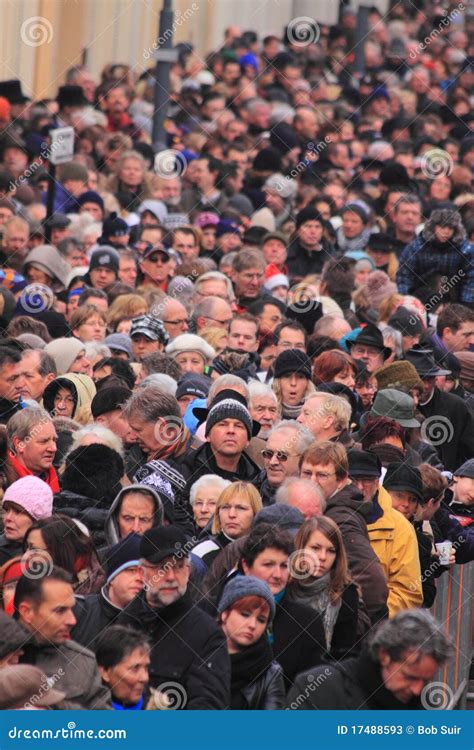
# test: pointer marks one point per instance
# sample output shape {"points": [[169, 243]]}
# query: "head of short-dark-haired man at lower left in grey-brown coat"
{"points": [[45, 605]]}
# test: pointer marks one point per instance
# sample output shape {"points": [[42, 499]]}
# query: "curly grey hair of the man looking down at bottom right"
{"points": [[411, 630]]}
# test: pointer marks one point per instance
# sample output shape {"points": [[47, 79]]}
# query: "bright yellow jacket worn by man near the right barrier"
{"points": [[393, 540]]}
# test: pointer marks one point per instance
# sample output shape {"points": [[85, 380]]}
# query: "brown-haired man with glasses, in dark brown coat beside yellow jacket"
{"points": [[326, 464]]}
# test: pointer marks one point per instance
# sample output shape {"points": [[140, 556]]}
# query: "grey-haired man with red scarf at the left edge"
{"points": [[31, 436]]}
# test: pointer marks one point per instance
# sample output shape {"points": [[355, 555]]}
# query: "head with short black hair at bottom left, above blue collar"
{"points": [[123, 658]]}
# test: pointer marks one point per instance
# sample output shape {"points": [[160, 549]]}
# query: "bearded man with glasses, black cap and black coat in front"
{"points": [[188, 648]]}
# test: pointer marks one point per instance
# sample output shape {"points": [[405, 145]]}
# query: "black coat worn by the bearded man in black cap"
{"points": [[188, 648]]}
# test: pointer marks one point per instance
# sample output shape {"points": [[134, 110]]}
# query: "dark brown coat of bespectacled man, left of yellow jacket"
{"points": [[349, 511]]}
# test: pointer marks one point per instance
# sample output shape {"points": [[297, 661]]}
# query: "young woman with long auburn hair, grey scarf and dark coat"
{"points": [[319, 578]]}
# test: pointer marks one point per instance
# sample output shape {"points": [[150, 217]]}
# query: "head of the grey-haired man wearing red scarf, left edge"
{"points": [[32, 439]]}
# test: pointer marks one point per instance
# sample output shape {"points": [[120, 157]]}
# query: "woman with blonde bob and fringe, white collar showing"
{"points": [[236, 508]]}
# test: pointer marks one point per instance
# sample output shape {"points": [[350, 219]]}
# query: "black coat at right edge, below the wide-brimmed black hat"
{"points": [[449, 418]]}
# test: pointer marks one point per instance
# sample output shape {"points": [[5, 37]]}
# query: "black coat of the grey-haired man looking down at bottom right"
{"points": [[351, 685]]}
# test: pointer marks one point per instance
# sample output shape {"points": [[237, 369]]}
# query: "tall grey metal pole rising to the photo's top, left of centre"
{"points": [[162, 75]]}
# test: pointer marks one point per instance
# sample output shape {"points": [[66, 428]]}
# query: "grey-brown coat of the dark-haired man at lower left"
{"points": [[74, 671]]}
